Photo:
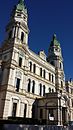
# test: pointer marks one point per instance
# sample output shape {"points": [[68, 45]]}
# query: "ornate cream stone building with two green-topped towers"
{"points": [[31, 85]]}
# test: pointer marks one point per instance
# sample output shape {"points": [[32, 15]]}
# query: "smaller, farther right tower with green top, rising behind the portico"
{"points": [[55, 58]]}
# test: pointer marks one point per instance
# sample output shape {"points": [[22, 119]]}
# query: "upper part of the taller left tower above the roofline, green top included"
{"points": [[18, 23]]}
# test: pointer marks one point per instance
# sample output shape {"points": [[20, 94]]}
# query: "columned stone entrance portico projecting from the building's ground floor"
{"points": [[54, 109]]}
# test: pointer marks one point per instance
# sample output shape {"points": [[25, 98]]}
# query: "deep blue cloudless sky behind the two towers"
{"points": [[45, 17]]}
